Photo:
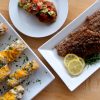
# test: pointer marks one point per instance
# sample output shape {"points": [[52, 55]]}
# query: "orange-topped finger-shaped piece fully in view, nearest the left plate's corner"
{"points": [[16, 77]]}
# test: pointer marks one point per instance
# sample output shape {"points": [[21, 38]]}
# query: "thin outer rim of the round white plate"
{"points": [[59, 28]]}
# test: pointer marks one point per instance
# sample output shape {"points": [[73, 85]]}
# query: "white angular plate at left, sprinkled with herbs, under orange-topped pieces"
{"points": [[38, 80]]}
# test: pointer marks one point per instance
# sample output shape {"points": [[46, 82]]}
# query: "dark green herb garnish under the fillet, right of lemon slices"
{"points": [[92, 59]]}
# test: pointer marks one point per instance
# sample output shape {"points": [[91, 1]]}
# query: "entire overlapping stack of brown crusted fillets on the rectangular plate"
{"points": [[85, 41]]}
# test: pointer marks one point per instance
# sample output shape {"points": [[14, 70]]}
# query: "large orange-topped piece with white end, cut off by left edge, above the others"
{"points": [[12, 52]]}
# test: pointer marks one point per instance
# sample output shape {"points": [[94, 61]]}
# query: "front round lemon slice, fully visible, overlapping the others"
{"points": [[75, 67]]}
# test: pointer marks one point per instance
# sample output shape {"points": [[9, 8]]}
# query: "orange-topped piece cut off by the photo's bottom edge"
{"points": [[14, 94]]}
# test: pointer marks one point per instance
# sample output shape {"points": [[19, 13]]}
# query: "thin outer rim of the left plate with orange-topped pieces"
{"points": [[38, 59]]}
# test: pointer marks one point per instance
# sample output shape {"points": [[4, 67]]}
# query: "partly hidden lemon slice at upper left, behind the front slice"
{"points": [[68, 58]]}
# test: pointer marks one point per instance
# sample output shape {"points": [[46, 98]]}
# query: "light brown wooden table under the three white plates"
{"points": [[90, 89]]}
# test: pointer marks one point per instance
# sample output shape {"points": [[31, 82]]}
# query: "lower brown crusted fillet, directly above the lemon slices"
{"points": [[84, 44]]}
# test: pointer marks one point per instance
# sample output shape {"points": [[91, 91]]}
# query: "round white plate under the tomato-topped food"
{"points": [[31, 26]]}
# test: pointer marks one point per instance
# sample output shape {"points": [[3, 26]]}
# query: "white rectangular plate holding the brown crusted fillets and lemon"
{"points": [[49, 52]]}
